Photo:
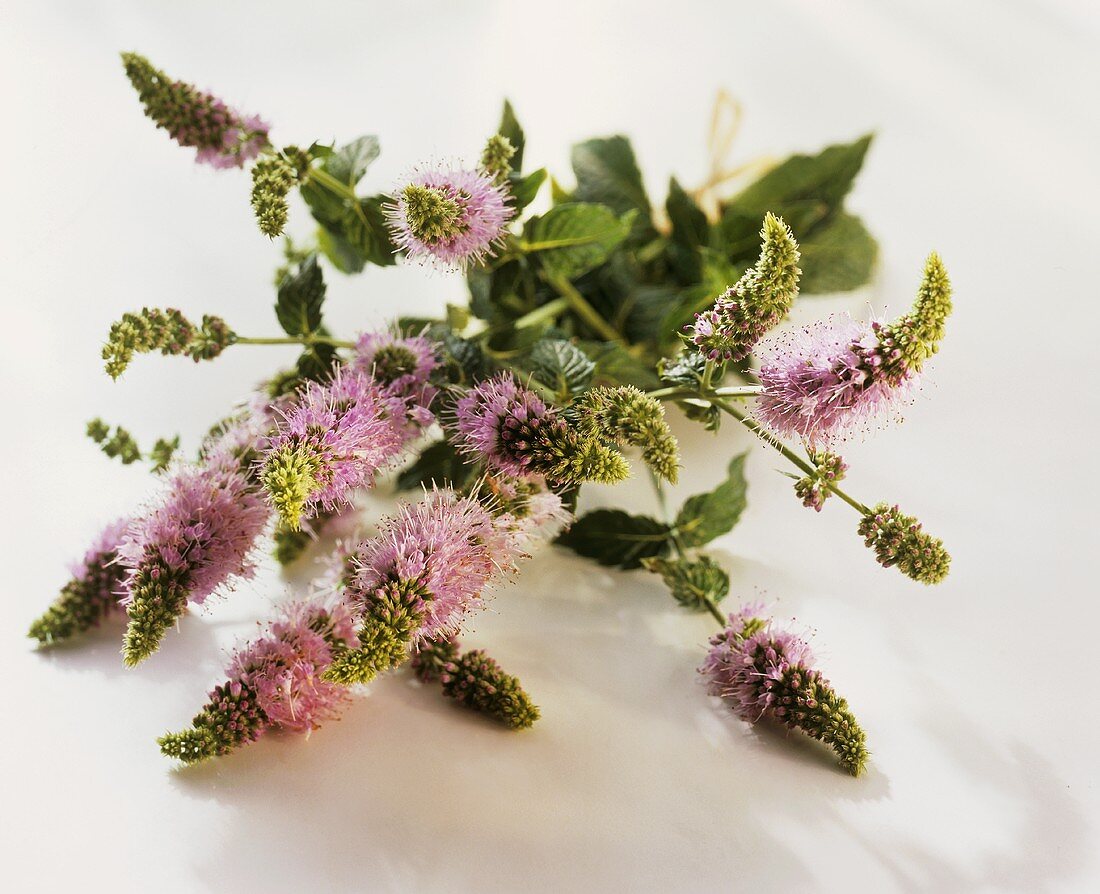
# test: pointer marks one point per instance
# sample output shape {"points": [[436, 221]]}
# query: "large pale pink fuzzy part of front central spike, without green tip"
{"points": [[450, 547]]}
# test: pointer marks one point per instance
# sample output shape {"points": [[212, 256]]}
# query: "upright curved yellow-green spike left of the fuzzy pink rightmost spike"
{"points": [[756, 304]]}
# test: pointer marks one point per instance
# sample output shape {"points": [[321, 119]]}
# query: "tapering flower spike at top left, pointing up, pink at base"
{"points": [[193, 118]]}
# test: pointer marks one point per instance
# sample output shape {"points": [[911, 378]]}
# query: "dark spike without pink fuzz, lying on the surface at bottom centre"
{"points": [[476, 681]]}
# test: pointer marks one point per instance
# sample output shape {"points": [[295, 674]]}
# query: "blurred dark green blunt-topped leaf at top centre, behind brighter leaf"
{"points": [[608, 173]]}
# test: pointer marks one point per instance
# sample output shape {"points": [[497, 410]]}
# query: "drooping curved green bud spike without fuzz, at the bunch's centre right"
{"points": [[626, 415]]}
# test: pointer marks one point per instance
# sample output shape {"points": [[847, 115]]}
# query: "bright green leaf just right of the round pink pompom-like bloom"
{"points": [[573, 239]]}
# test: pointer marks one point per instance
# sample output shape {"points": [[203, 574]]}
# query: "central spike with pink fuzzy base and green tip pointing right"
{"points": [[518, 434]]}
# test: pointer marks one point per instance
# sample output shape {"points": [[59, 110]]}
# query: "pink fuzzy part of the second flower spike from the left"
{"points": [[202, 533]]}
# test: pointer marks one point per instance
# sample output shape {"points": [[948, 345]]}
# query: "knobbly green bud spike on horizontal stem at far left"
{"points": [[167, 332]]}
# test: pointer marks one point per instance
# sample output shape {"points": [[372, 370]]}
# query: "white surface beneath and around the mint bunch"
{"points": [[978, 697]]}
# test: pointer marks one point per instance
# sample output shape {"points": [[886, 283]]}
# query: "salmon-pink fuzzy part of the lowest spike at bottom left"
{"points": [[284, 667]]}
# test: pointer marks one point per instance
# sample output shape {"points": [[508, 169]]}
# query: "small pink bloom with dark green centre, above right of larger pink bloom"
{"points": [[403, 367]]}
